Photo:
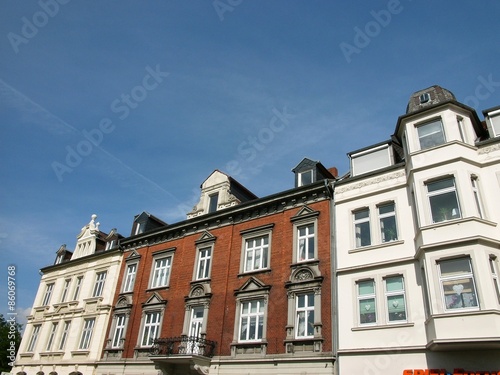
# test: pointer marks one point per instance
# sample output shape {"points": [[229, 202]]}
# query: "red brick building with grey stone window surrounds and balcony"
{"points": [[242, 286]]}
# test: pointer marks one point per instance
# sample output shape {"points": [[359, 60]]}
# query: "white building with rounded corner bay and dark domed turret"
{"points": [[417, 244]]}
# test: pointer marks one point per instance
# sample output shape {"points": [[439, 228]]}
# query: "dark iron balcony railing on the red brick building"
{"points": [[184, 345]]}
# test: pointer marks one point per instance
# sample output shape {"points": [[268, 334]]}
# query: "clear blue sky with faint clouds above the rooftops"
{"points": [[119, 107]]}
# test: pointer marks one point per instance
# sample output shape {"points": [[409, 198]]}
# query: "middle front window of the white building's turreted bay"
{"points": [[443, 200]]}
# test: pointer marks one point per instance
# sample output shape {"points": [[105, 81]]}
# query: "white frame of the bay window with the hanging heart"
{"points": [[443, 280]]}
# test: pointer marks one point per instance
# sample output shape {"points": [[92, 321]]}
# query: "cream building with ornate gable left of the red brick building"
{"points": [[65, 332]]}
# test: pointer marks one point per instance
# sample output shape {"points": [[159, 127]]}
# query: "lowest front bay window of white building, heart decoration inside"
{"points": [[457, 283]]}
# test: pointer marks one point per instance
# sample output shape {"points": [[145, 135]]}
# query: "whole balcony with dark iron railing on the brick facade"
{"points": [[185, 354]]}
